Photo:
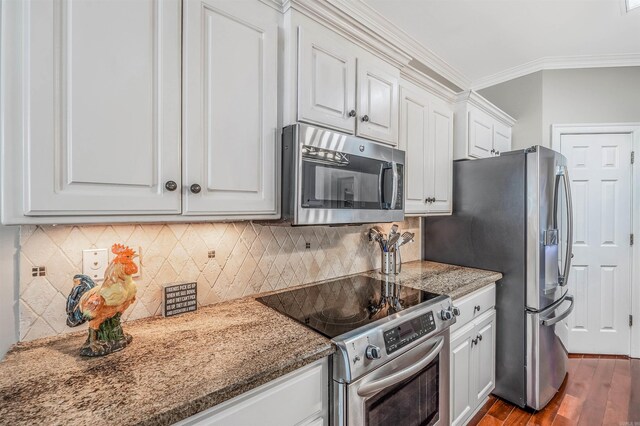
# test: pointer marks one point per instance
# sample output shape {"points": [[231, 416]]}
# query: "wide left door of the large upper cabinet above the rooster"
{"points": [[103, 107]]}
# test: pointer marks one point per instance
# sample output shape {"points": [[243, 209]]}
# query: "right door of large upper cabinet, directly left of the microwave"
{"points": [[230, 110]]}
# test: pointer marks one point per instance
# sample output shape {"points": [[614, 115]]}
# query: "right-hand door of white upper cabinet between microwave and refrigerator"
{"points": [[439, 167]]}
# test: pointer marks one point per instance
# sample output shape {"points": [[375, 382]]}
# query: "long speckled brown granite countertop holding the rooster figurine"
{"points": [[174, 368]]}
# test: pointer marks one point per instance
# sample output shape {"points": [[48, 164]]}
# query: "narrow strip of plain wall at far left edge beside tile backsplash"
{"points": [[9, 237]]}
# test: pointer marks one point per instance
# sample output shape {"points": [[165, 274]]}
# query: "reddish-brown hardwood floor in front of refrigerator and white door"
{"points": [[598, 390]]}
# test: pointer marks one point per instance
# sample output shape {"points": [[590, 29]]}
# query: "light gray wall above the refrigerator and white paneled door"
{"points": [[595, 95]]}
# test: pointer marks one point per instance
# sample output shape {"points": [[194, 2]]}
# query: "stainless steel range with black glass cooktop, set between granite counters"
{"points": [[392, 363]]}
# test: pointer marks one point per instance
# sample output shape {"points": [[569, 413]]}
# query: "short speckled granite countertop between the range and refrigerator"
{"points": [[455, 281]]}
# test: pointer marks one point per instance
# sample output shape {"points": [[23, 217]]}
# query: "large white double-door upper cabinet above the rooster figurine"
{"points": [[119, 112]]}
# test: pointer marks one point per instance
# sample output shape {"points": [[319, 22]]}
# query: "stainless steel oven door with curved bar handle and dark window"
{"points": [[410, 390]]}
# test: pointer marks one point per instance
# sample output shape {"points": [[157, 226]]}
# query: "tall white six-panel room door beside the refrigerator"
{"points": [[600, 172]]}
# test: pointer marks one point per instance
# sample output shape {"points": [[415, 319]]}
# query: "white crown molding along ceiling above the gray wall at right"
{"points": [[557, 63]]}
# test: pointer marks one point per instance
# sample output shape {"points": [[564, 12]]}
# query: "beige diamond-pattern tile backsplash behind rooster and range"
{"points": [[249, 259]]}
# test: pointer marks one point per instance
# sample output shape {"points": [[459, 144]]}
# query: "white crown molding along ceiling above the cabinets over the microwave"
{"points": [[375, 32]]}
